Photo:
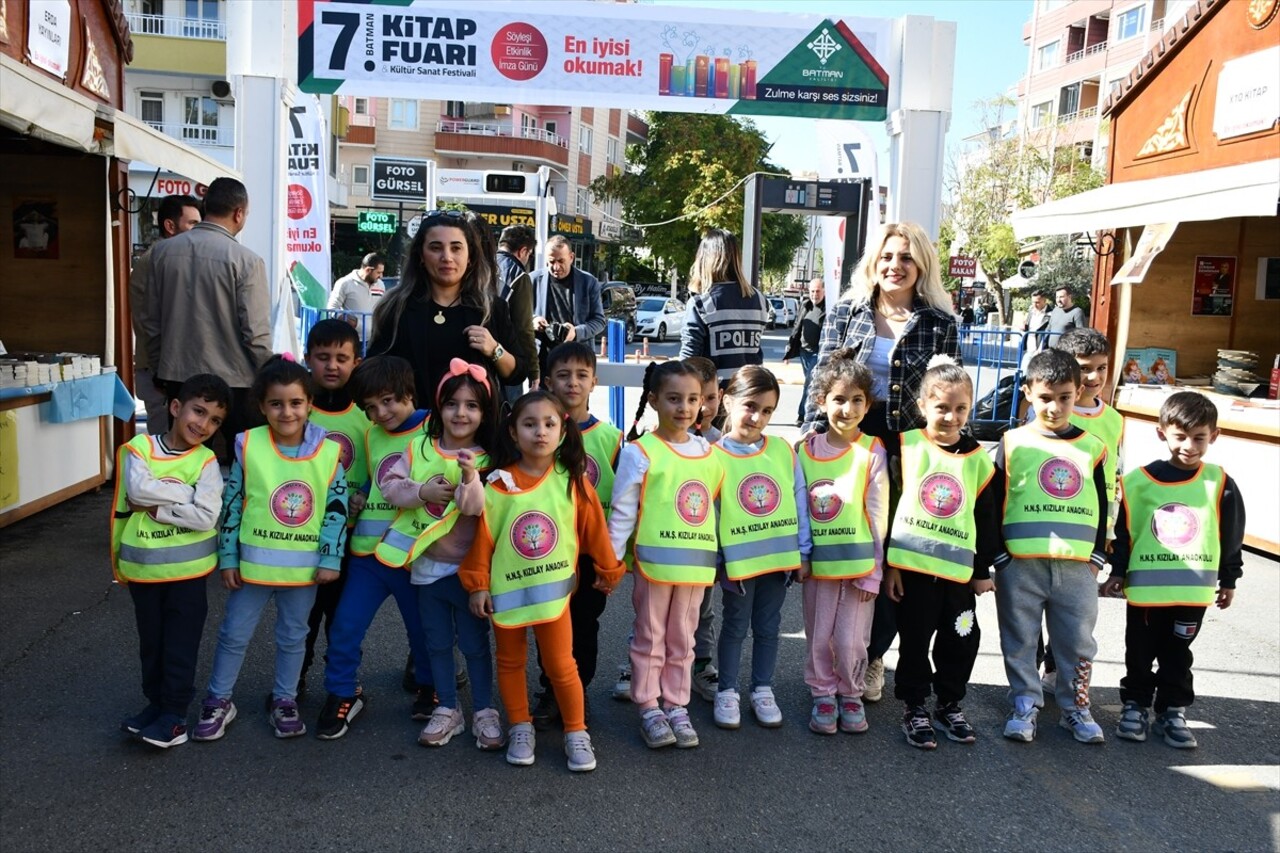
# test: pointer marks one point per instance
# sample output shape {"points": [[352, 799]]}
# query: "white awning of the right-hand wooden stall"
{"points": [[1246, 190]]}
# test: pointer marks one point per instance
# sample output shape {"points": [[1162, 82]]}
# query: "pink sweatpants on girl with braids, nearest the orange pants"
{"points": [[662, 647]]}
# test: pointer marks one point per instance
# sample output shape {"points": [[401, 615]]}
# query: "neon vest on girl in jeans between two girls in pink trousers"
{"points": [[760, 531]]}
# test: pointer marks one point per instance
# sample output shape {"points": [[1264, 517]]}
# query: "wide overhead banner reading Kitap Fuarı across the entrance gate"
{"points": [[598, 54]]}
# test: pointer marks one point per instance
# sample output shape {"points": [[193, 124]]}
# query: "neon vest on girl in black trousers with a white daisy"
{"points": [[934, 530]]}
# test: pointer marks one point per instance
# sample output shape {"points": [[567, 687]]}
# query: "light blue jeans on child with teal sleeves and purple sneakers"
{"points": [[244, 612]]}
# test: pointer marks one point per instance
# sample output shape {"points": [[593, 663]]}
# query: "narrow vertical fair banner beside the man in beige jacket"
{"points": [[307, 239]]}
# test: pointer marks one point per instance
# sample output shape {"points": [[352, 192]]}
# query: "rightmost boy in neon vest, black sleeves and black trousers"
{"points": [[1181, 533]]}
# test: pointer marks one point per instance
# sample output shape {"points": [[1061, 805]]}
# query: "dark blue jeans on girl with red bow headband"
{"points": [[445, 608]]}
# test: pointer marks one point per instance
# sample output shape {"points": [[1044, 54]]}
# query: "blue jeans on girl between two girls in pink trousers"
{"points": [[761, 608]]}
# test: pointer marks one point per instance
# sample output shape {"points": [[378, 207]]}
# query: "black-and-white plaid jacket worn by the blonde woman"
{"points": [[930, 332]]}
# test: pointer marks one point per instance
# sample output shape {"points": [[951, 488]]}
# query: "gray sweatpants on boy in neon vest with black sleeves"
{"points": [[1066, 594]]}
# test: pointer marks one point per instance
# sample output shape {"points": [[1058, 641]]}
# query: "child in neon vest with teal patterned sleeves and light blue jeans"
{"points": [[280, 540]]}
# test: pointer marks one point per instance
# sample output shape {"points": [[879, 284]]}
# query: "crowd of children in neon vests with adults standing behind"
{"points": [[406, 475]]}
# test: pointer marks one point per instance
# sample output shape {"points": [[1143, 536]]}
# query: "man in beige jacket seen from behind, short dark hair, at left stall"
{"points": [[209, 308]]}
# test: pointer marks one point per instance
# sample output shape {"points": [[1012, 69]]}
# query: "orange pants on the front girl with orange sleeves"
{"points": [[556, 642]]}
